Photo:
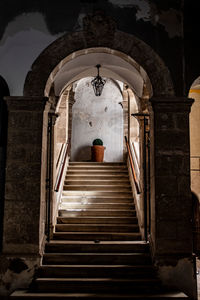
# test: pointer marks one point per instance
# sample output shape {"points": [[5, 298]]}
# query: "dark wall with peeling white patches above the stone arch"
{"points": [[28, 29]]}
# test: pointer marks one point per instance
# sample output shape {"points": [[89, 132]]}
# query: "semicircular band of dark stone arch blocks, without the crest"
{"points": [[61, 48]]}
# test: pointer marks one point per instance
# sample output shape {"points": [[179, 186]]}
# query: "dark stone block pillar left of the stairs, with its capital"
{"points": [[25, 175]]}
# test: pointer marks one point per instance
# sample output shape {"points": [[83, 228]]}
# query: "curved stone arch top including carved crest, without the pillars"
{"points": [[108, 37]]}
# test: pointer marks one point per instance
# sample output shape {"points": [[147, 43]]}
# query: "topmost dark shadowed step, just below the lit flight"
{"points": [[101, 247]]}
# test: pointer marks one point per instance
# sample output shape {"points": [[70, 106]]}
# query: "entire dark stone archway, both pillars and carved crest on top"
{"points": [[27, 130]]}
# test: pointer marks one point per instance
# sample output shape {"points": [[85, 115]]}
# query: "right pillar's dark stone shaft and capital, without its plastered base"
{"points": [[171, 178]]}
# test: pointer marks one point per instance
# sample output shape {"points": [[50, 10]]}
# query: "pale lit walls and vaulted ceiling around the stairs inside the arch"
{"points": [[109, 117]]}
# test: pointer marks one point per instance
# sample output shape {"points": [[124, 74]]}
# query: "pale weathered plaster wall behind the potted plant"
{"points": [[97, 117]]}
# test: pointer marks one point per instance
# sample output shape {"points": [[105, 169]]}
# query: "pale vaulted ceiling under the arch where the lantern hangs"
{"points": [[112, 66]]}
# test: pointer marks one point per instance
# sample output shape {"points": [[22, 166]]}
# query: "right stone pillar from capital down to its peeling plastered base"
{"points": [[171, 205]]}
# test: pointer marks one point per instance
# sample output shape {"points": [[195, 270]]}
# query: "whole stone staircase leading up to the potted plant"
{"points": [[96, 251]]}
